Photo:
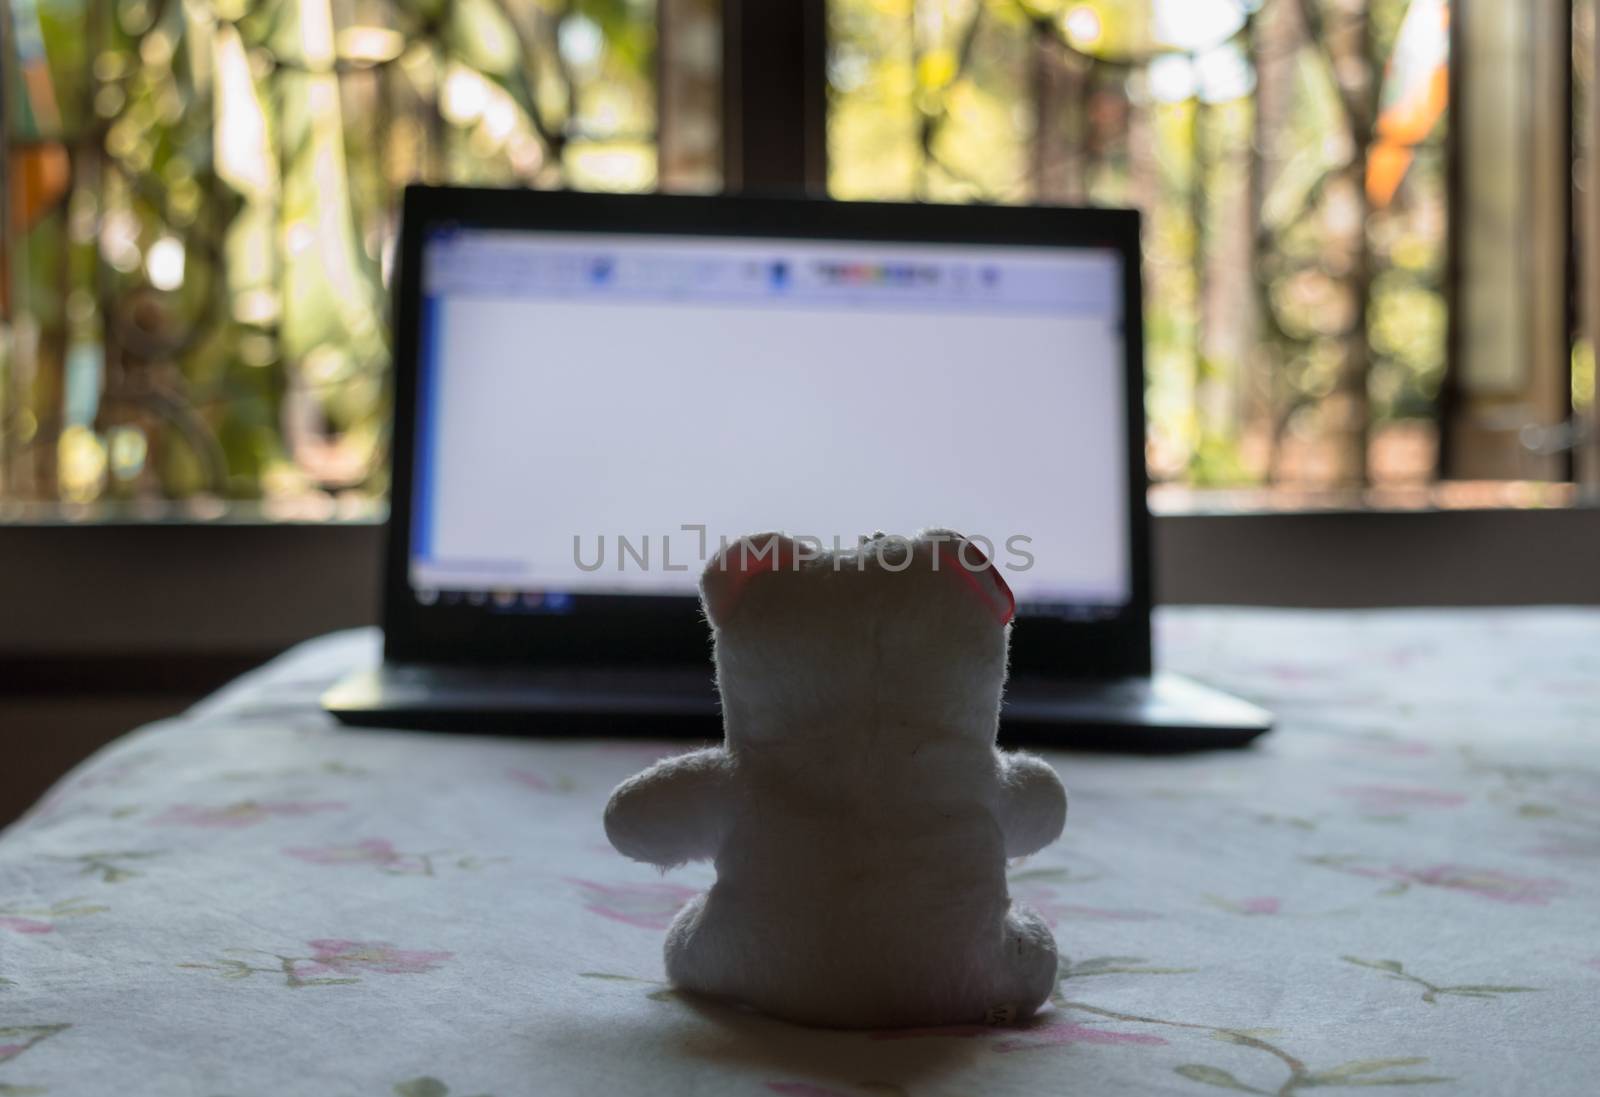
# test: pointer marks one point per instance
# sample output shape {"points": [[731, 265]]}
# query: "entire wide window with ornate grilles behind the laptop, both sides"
{"points": [[202, 196]]}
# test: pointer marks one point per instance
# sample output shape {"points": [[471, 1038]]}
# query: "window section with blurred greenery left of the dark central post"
{"points": [[202, 196]]}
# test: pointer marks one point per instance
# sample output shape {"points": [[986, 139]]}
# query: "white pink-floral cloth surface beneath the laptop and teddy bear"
{"points": [[1399, 888]]}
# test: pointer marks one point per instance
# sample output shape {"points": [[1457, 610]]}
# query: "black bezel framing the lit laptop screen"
{"points": [[671, 631]]}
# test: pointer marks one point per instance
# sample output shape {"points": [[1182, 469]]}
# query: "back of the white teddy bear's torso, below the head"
{"points": [[879, 909]]}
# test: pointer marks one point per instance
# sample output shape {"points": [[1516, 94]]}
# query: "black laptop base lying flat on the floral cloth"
{"points": [[1162, 714]]}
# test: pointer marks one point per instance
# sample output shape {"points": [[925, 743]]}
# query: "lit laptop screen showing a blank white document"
{"points": [[599, 413]]}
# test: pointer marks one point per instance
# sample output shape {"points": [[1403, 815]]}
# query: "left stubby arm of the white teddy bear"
{"points": [[674, 812]]}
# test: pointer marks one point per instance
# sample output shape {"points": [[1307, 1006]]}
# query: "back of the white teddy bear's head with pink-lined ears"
{"points": [[892, 640]]}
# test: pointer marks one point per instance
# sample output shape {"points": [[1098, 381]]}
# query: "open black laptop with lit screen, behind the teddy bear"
{"points": [[593, 393]]}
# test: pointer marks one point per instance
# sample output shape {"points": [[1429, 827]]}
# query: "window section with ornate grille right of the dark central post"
{"points": [[1289, 158]]}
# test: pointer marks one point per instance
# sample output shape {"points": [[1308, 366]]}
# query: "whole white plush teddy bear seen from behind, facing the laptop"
{"points": [[858, 813]]}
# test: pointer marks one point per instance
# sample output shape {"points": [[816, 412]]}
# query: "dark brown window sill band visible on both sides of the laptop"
{"points": [[242, 588]]}
